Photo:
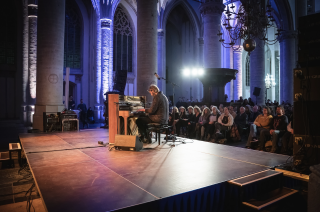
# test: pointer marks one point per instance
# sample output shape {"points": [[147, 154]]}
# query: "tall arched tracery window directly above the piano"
{"points": [[122, 42]]}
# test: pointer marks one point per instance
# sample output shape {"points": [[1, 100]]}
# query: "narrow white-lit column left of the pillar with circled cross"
{"points": [[33, 21]]}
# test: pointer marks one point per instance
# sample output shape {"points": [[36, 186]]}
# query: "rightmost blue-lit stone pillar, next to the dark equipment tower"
{"points": [[287, 64]]}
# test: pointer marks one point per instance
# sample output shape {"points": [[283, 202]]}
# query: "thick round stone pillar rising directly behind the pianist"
{"points": [[147, 22]]}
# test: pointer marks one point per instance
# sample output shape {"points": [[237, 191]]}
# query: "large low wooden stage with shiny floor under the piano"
{"points": [[74, 173]]}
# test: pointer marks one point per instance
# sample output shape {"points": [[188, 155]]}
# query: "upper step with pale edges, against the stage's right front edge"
{"points": [[250, 179]]}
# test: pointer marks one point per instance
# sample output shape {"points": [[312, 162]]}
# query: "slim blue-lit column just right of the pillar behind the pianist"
{"points": [[161, 60]]}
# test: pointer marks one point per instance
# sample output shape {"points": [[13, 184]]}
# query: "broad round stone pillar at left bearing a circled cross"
{"points": [[50, 59]]}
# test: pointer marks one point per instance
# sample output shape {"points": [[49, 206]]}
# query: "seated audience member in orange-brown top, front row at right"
{"points": [[262, 122]]}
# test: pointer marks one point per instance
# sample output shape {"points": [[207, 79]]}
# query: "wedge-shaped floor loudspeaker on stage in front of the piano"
{"points": [[128, 143]]}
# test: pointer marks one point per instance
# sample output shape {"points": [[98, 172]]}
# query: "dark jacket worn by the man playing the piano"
{"points": [[159, 110]]}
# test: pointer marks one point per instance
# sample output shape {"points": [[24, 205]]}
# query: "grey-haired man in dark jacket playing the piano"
{"points": [[158, 113]]}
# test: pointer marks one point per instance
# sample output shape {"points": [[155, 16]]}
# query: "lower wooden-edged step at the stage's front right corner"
{"points": [[269, 198]]}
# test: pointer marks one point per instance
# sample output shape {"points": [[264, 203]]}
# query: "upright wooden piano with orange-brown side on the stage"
{"points": [[122, 108]]}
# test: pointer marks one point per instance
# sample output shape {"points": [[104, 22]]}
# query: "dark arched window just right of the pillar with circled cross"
{"points": [[72, 34]]}
